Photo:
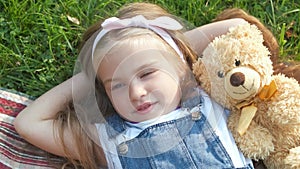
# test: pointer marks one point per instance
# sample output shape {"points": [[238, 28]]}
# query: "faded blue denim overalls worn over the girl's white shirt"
{"points": [[189, 142]]}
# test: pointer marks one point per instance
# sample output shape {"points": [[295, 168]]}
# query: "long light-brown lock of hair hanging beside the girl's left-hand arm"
{"points": [[90, 154]]}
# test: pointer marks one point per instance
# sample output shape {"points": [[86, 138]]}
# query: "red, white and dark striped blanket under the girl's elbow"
{"points": [[15, 152]]}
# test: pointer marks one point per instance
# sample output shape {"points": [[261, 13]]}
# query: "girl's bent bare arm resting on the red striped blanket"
{"points": [[36, 122]]}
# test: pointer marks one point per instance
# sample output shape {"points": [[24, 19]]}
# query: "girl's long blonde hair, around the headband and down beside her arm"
{"points": [[90, 154]]}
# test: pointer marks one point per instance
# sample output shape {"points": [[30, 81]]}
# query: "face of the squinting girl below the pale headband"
{"points": [[140, 82]]}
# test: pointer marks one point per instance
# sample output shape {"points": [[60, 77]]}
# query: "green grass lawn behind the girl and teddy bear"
{"points": [[38, 44]]}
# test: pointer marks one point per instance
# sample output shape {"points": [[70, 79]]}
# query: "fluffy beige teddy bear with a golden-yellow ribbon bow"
{"points": [[236, 71]]}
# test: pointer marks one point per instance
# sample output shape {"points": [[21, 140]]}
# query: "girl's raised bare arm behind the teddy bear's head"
{"points": [[200, 37]]}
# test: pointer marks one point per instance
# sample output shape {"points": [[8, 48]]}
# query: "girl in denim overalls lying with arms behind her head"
{"points": [[136, 100]]}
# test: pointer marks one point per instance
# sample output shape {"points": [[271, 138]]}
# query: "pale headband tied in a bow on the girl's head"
{"points": [[157, 25]]}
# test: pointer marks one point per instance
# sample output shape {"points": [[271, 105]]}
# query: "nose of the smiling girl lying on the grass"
{"points": [[137, 90]]}
